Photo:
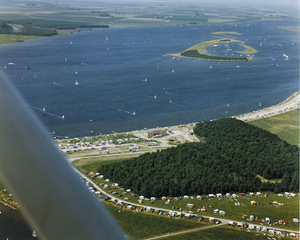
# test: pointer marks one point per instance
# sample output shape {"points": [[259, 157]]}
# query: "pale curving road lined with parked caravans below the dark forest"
{"points": [[223, 220]]}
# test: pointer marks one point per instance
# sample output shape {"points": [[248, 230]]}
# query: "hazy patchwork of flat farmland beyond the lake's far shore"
{"points": [[70, 17]]}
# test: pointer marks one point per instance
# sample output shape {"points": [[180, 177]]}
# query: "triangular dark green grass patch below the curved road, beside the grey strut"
{"points": [[141, 225]]}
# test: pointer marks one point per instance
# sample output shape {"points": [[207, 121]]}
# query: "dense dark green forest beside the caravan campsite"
{"points": [[229, 161]]}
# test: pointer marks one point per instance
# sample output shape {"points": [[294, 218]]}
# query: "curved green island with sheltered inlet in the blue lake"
{"points": [[198, 51]]}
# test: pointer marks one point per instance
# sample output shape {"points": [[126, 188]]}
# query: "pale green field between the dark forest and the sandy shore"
{"points": [[285, 125]]}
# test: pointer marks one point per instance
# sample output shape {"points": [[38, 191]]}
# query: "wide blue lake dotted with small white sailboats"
{"points": [[112, 66]]}
